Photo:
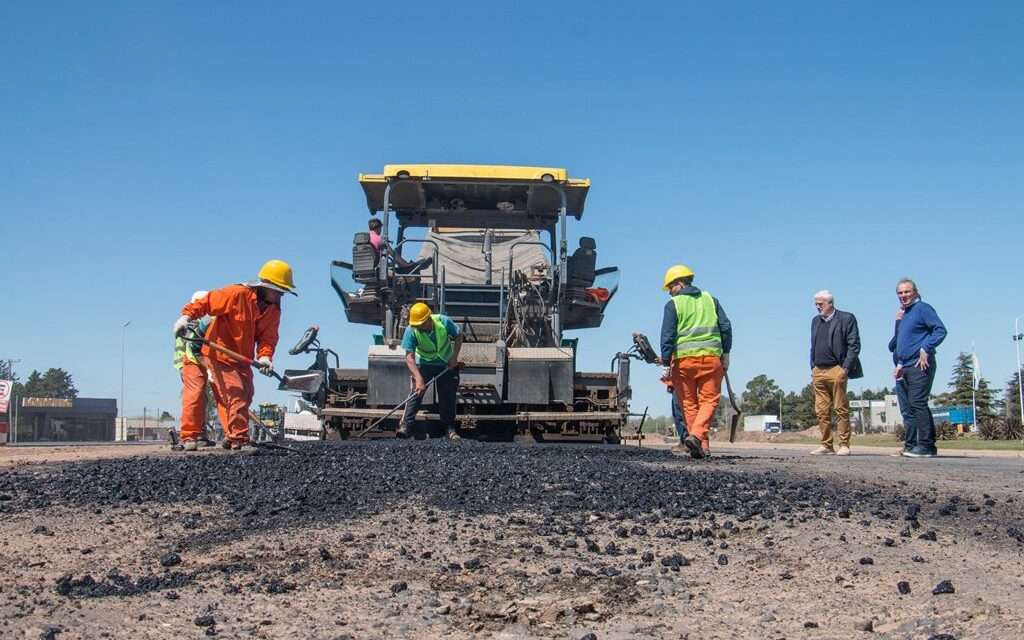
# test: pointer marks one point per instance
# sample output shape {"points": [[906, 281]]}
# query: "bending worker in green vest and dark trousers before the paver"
{"points": [[433, 344]]}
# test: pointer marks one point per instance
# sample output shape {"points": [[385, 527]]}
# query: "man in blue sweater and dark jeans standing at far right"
{"points": [[919, 331]]}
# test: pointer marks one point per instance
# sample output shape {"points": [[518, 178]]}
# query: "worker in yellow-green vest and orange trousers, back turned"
{"points": [[697, 338]]}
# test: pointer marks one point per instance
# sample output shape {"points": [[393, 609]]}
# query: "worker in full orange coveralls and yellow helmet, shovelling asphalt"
{"points": [[246, 318]]}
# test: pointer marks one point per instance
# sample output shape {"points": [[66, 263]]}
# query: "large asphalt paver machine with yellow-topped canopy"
{"points": [[493, 255]]}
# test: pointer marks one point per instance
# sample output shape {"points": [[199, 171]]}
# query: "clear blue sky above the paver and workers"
{"points": [[778, 149]]}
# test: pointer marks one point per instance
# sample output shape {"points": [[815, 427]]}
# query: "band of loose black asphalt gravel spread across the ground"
{"points": [[642, 492]]}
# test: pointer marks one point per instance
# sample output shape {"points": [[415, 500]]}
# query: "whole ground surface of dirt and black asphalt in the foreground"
{"points": [[467, 540]]}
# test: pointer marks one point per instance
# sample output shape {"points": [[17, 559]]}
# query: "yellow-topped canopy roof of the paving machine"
{"points": [[503, 190]]}
